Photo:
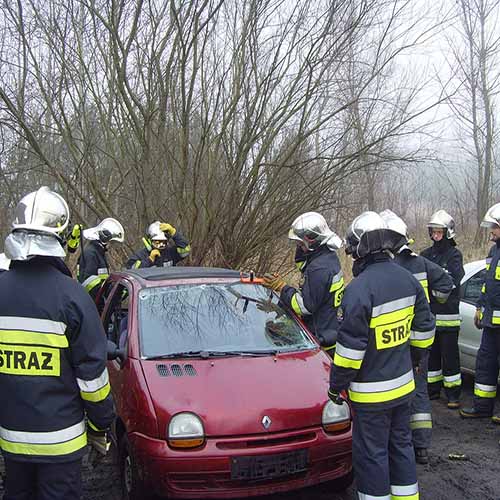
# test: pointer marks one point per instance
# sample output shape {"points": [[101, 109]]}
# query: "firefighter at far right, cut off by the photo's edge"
{"points": [[488, 318]]}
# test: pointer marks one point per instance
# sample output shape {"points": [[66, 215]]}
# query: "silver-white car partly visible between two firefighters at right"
{"points": [[470, 337]]}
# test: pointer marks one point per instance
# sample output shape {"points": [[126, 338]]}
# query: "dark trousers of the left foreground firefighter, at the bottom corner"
{"points": [[42, 481]]}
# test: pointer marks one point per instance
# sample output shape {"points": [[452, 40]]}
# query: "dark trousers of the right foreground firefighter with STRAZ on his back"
{"points": [[382, 453]]}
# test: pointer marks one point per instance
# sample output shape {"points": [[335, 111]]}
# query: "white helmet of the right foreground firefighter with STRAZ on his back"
{"points": [[368, 234]]}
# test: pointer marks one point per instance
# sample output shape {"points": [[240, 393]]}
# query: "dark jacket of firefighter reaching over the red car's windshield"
{"points": [[319, 297]]}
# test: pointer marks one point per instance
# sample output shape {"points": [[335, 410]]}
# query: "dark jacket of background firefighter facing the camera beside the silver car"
{"points": [[445, 254]]}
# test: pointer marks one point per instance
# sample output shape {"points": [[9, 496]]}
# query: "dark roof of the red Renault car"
{"points": [[152, 275]]}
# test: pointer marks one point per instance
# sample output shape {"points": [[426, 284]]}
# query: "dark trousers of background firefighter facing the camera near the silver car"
{"points": [[444, 365]]}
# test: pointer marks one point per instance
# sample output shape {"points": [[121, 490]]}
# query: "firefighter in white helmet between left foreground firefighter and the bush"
{"points": [[93, 268]]}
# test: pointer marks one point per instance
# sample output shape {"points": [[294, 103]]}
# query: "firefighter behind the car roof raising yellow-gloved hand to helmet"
{"points": [[157, 252]]}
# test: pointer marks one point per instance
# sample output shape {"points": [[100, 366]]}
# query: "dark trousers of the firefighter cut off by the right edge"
{"points": [[487, 365]]}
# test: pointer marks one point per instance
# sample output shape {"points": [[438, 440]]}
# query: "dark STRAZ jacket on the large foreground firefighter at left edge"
{"points": [[52, 363]]}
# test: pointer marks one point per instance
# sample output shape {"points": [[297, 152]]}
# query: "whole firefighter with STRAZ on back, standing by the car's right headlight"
{"points": [[384, 311]]}
